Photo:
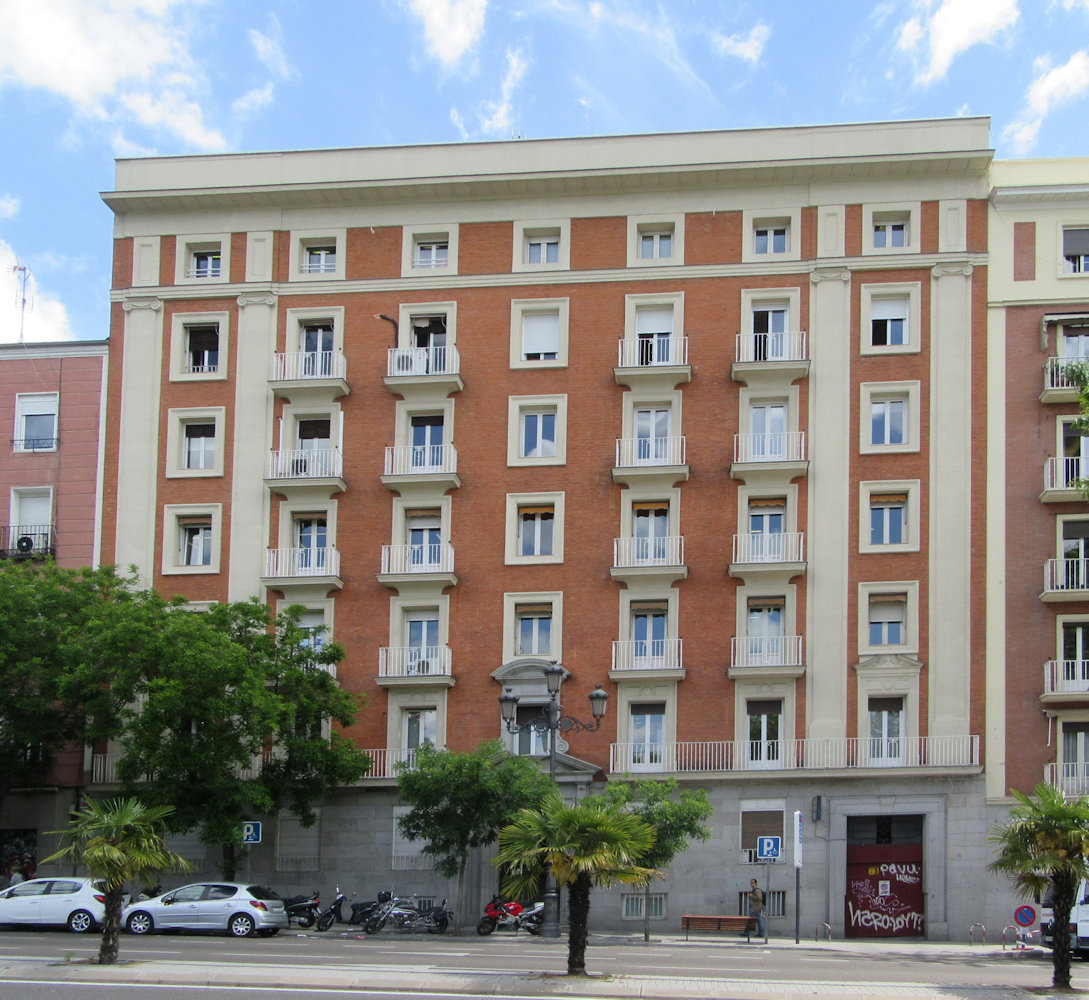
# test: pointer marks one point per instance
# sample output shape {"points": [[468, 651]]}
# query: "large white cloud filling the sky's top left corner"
{"points": [[124, 63]]}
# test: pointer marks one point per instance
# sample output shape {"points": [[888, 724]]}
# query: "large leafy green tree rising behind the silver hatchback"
{"points": [[233, 718]]}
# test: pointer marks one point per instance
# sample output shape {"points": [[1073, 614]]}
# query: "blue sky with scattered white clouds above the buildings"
{"points": [[83, 82]]}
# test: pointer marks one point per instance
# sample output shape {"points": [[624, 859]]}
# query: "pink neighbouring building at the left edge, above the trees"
{"points": [[52, 400]]}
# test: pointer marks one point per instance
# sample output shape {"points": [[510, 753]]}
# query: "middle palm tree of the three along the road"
{"points": [[594, 843]]}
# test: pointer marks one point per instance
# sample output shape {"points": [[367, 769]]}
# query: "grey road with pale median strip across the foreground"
{"points": [[55, 965]]}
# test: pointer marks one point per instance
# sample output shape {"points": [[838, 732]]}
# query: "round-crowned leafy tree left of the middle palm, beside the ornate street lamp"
{"points": [[460, 802]]}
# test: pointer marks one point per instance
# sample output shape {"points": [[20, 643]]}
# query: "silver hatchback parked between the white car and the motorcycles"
{"points": [[237, 908]]}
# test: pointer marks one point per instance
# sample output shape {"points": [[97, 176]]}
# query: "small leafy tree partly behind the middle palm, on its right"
{"points": [[676, 821]]}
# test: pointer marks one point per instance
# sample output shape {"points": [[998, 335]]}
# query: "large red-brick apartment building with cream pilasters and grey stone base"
{"points": [[701, 418]]}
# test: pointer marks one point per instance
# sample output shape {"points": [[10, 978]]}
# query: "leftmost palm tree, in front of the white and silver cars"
{"points": [[118, 842]]}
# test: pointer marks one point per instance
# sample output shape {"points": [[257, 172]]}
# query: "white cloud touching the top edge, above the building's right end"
{"points": [[946, 29]]}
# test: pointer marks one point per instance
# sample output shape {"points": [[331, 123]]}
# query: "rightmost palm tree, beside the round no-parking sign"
{"points": [[1044, 847]]}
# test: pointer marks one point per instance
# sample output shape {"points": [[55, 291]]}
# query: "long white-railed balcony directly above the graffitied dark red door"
{"points": [[798, 755]]}
